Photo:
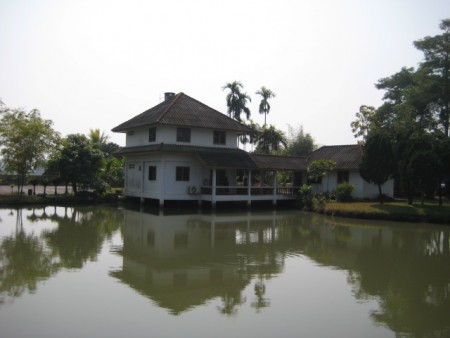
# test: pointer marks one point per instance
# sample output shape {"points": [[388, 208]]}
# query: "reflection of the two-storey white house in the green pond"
{"points": [[181, 261]]}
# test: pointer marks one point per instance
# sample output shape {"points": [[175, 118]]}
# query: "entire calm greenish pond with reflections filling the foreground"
{"points": [[115, 272]]}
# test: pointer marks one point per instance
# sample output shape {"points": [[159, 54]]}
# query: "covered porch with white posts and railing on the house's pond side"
{"points": [[253, 178]]}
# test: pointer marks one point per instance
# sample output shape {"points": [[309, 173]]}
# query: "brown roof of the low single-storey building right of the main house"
{"points": [[345, 156]]}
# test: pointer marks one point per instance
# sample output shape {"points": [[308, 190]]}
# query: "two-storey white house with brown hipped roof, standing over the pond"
{"points": [[182, 149]]}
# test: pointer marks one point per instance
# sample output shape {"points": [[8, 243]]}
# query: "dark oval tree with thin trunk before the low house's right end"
{"points": [[378, 162]]}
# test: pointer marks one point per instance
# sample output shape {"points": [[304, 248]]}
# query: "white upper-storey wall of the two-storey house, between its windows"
{"points": [[168, 134]]}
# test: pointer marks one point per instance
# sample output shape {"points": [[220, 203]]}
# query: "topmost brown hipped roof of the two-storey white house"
{"points": [[183, 110]]}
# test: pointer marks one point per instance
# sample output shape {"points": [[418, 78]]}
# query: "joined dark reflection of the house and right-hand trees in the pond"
{"points": [[182, 261]]}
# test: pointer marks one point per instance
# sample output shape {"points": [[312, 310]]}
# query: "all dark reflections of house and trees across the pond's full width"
{"points": [[232, 260]]}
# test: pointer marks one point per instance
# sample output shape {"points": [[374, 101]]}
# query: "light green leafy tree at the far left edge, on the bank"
{"points": [[26, 139]]}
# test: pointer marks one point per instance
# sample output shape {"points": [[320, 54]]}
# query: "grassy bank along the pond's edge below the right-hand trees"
{"points": [[395, 211]]}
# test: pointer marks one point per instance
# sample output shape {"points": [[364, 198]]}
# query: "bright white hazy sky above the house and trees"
{"points": [[88, 64]]}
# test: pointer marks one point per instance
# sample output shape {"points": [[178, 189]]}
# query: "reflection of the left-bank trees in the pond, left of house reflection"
{"points": [[28, 257]]}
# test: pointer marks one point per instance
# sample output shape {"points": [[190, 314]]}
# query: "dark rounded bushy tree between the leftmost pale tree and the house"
{"points": [[78, 162]]}
